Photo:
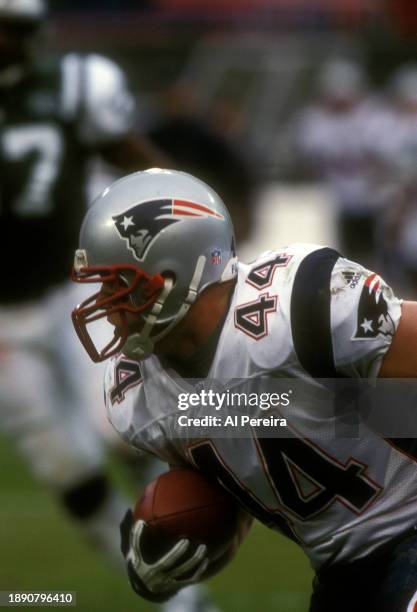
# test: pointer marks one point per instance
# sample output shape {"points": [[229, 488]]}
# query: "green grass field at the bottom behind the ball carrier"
{"points": [[41, 549]]}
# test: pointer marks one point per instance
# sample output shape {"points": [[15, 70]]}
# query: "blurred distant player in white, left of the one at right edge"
{"points": [[332, 139]]}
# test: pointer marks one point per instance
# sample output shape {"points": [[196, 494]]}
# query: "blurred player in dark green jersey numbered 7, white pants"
{"points": [[55, 112]]}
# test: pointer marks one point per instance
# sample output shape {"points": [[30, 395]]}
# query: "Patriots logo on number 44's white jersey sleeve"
{"points": [[373, 316]]}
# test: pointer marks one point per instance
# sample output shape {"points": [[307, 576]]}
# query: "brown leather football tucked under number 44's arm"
{"points": [[183, 503]]}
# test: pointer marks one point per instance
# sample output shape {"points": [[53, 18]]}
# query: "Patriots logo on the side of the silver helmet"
{"points": [[142, 223]]}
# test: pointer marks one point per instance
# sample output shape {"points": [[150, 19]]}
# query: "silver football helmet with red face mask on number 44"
{"points": [[155, 240]]}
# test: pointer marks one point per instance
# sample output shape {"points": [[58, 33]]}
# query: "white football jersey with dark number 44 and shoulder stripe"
{"points": [[301, 313]]}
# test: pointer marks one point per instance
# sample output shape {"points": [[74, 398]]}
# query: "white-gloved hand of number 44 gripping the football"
{"points": [[158, 579]]}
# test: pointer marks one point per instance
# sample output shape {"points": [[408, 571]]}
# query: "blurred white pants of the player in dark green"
{"points": [[49, 388]]}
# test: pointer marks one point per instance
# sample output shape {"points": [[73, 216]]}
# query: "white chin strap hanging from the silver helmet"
{"points": [[140, 345]]}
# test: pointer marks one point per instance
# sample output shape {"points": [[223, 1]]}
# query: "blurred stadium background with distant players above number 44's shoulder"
{"points": [[315, 100]]}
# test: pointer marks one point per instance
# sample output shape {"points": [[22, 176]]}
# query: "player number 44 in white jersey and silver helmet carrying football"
{"points": [[159, 245]]}
